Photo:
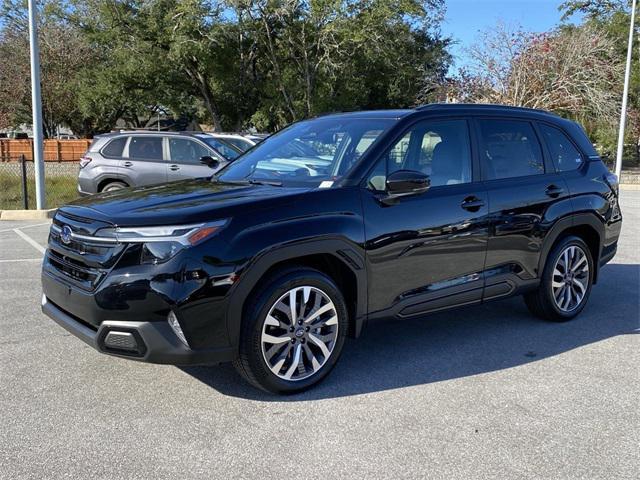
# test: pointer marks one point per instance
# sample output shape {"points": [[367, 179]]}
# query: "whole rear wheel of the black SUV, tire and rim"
{"points": [[549, 301]]}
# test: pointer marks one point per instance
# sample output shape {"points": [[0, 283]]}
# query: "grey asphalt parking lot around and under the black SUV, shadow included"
{"points": [[484, 392]]}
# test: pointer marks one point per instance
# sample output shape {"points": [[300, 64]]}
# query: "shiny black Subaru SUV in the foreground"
{"points": [[331, 223]]}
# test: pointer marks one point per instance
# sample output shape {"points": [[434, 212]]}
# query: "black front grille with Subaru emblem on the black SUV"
{"points": [[83, 261]]}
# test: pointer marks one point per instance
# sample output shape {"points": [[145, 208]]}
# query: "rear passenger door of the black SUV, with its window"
{"points": [[525, 195]]}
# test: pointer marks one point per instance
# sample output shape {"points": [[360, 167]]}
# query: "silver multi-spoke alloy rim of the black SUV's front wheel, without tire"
{"points": [[299, 333]]}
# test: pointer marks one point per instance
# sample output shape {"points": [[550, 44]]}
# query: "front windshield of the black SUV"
{"points": [[308, 153]]}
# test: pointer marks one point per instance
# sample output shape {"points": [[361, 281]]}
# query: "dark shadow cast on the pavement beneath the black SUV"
{"points": [[499, 335]]}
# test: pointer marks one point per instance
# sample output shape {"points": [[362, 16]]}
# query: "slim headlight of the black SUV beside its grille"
{"points": [[162, 242]]}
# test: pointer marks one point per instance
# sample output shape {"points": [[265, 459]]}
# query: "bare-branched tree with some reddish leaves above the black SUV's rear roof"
{"points": [[573, 71]]}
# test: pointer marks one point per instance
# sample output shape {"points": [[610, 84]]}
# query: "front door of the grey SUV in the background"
{"points": [[184, 159]]}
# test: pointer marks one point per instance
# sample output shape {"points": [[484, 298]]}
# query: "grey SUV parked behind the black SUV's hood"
{"points": [[135, 158]]}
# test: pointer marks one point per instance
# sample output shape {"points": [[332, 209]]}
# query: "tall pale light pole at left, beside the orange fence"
{"points": [[36, 104]]}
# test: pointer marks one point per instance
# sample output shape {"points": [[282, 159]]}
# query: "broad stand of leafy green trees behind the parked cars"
{"points": [[231, 63]]}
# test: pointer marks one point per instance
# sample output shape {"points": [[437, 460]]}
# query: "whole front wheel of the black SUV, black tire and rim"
{"points": [[270, 365]]}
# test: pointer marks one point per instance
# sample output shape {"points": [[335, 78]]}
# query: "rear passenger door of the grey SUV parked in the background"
{"points": [[143, 160]]}
